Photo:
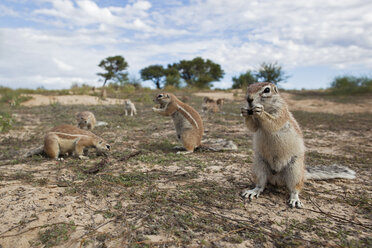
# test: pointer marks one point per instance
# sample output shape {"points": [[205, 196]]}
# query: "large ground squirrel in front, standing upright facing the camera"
{"points": [[278, 145]]}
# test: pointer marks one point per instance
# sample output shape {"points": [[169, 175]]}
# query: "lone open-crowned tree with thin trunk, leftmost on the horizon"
{"points": [[114, 67]]}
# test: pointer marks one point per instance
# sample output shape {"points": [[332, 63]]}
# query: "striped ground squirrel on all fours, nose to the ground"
{"points": [[68, 139]]}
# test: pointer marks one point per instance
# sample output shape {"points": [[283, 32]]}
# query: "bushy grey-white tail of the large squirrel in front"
{"points": [[329, 172]]}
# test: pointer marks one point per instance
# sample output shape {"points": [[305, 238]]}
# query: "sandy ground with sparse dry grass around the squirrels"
{"points": [[156, 198]]}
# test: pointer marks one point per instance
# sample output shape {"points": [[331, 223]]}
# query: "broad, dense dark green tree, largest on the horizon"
{"points": [[198, 72]]}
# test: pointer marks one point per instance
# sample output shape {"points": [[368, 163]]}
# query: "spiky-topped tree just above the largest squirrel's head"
{"points": [[271, 72]]}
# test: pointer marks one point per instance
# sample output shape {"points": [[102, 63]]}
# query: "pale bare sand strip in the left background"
{"points": [[38, 100]]}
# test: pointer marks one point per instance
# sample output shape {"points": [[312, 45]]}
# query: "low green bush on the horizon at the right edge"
{"points": [[351, 85]]}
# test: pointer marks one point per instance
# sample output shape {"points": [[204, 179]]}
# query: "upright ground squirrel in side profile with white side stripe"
{"points": [[187, 121]]}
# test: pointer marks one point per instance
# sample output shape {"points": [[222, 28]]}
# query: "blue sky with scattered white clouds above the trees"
{"points": [[54, 43]]}
